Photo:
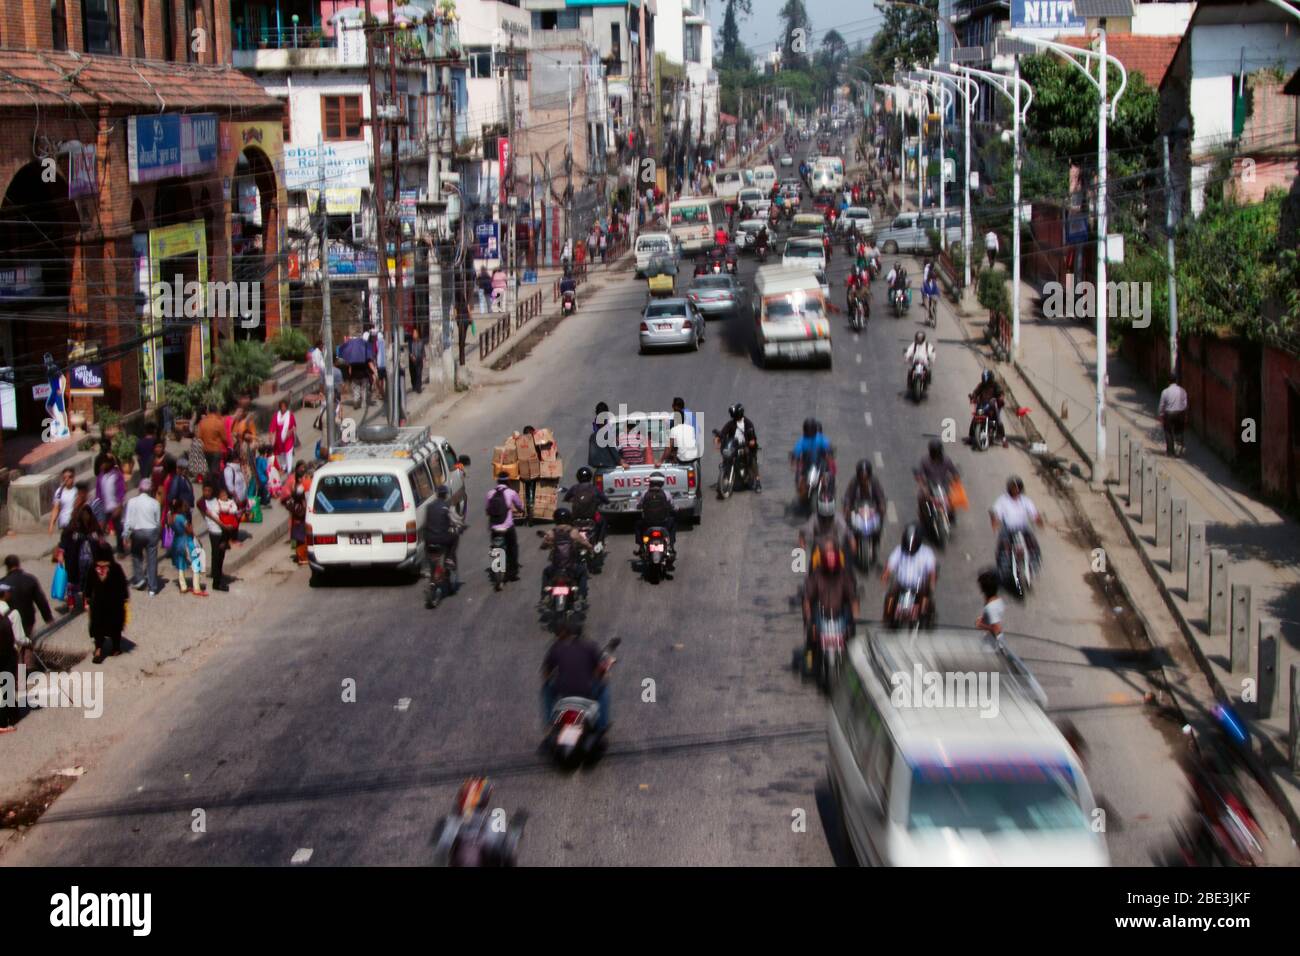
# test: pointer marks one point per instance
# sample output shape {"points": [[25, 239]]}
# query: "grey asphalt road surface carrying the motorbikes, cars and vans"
{"points": [[710, 765]]}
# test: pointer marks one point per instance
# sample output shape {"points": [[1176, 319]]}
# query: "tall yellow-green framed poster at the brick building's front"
{"points": [[177, 250]]}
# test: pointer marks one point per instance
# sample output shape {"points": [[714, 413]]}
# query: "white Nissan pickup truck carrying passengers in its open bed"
{"points": [[625, 485]]}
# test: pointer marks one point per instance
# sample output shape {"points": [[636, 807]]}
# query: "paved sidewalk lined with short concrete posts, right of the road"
{"points": [[1058, 362]]}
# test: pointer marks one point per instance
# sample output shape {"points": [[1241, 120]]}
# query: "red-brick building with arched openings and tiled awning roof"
{"points": [[131, 153]]}
